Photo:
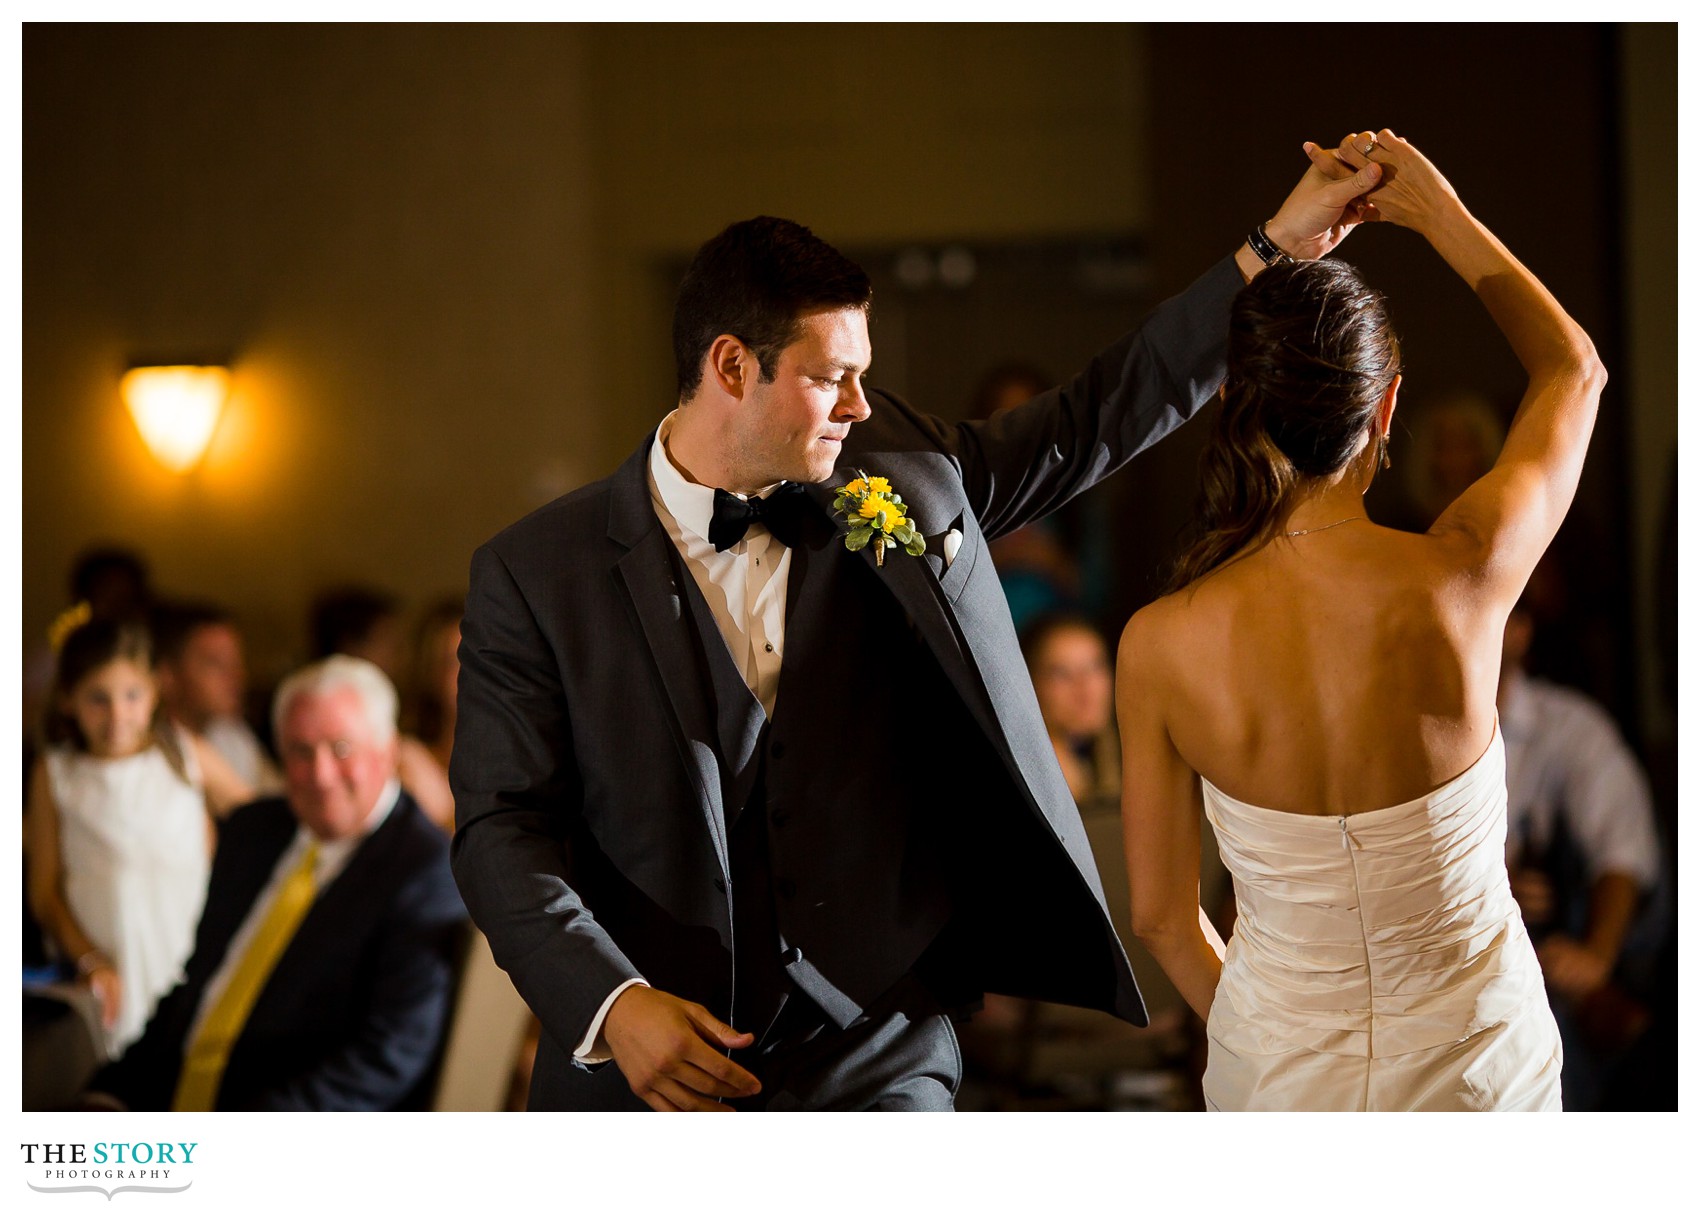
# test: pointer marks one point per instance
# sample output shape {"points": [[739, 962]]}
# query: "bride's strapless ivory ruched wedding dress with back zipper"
{"points": [[1380, 961]]}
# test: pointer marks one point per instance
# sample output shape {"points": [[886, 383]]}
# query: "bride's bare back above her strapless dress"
{"points": [[1329, 674]]}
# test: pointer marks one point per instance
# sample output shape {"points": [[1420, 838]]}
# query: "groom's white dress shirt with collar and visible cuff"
{"points": [[745, 590]]}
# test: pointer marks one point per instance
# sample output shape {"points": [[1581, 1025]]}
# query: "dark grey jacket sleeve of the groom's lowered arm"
{"points": [[519, 796]]}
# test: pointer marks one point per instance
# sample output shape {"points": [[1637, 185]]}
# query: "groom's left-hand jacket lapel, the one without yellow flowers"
{"points": [[652, 585]]}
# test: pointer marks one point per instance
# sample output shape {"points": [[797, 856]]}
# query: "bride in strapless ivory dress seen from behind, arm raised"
{"points": [[1327, 689]]}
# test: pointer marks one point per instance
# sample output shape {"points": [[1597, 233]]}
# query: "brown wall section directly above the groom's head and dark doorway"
{"points": [[871, 135]]}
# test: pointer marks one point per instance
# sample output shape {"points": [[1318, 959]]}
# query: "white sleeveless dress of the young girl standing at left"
{"points": [[133, 852]]}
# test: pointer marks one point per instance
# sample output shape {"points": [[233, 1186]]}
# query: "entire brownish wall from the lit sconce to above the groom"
{"points": [[434, 254]]}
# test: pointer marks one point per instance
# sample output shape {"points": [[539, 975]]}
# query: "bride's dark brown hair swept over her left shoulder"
{"points": [[1312, 354]]}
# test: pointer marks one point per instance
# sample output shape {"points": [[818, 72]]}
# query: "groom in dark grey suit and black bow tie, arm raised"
{"points": [[751, 815]]}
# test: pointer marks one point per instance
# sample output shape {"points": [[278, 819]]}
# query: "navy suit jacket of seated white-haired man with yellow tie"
{"points": [[354, 1015]]}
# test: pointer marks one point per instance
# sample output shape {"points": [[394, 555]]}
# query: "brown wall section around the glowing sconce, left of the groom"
{"points": [[383, 227]]}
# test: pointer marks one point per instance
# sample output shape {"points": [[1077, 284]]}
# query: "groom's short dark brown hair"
{"points": [[754, 281]]}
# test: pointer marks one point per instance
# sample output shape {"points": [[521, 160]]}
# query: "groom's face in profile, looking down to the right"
{"points": [[795, 427]]}
